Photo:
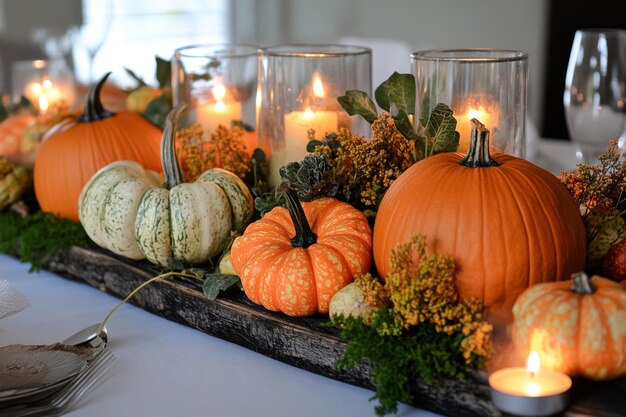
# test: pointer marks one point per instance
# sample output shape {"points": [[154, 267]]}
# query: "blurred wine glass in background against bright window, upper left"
{"points": [[97, 18]]}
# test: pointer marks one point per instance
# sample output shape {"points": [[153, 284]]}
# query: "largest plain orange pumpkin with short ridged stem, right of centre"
{"points": [[508, 223]]}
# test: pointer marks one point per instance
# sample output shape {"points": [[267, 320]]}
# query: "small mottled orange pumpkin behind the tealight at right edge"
{"points": [[577, 326]]}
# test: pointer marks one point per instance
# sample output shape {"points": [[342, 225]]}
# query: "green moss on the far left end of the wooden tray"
{"points": [[39, 235]]}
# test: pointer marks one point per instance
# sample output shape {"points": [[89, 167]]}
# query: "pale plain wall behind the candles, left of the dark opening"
{"points": [[419, 24]]}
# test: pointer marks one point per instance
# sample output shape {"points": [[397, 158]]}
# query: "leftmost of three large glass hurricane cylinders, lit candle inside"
{"points": [[218, 83]]}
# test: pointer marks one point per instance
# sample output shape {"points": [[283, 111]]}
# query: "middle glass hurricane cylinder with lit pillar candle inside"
{"points": [[299, 89]]}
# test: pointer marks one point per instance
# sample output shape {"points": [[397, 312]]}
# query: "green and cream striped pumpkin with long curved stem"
{"points": [[124, 208]]}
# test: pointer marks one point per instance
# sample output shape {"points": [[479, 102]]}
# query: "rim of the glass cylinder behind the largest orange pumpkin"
{"points": [[473, 55]]}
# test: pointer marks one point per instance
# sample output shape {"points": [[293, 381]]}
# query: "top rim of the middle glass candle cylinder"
{"points": [[311, 50]]}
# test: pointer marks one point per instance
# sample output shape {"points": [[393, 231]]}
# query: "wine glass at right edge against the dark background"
{"points": [[595, 91]]}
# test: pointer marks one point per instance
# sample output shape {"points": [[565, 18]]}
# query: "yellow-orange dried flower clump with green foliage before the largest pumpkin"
{"points": [[418, 327]]}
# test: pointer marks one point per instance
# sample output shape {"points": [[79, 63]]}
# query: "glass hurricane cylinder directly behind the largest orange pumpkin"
{"points": [[487, 84]]}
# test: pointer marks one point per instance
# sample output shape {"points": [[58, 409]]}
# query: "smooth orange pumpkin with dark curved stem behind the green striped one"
{"points": [[75, 150]]}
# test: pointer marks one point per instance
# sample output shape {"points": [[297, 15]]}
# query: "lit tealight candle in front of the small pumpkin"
{"points": [[530, 391]]}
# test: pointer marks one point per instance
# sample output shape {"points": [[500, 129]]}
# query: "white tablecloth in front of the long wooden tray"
{"points": [[166, 369]]}
